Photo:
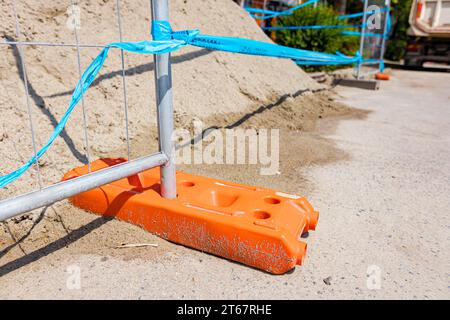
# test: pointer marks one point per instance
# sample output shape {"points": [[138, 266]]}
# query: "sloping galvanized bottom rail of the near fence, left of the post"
{"points": [[49, 195]]}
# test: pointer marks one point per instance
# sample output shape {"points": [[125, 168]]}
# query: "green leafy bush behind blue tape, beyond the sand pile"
{"points": [[320, 40]]}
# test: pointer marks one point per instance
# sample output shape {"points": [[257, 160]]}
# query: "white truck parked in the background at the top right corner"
{"points": [[429, 33]]}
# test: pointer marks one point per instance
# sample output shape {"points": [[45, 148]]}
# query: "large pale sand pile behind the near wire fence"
{"points": [[205, 83]]}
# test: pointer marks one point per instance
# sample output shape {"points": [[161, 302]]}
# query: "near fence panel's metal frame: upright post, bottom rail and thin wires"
{"points": [[165, 158]]}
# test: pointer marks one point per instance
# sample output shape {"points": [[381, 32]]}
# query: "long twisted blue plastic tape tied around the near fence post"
{"points": [[165, 41]]}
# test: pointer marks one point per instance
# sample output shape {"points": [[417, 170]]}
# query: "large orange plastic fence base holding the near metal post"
{"points": [[255, 226]]}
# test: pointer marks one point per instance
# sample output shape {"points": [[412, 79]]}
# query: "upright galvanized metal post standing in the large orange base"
{"points": [[163, 84]]}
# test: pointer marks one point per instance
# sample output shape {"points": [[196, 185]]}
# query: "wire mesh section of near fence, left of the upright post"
{"points": [[45, 47]]}
